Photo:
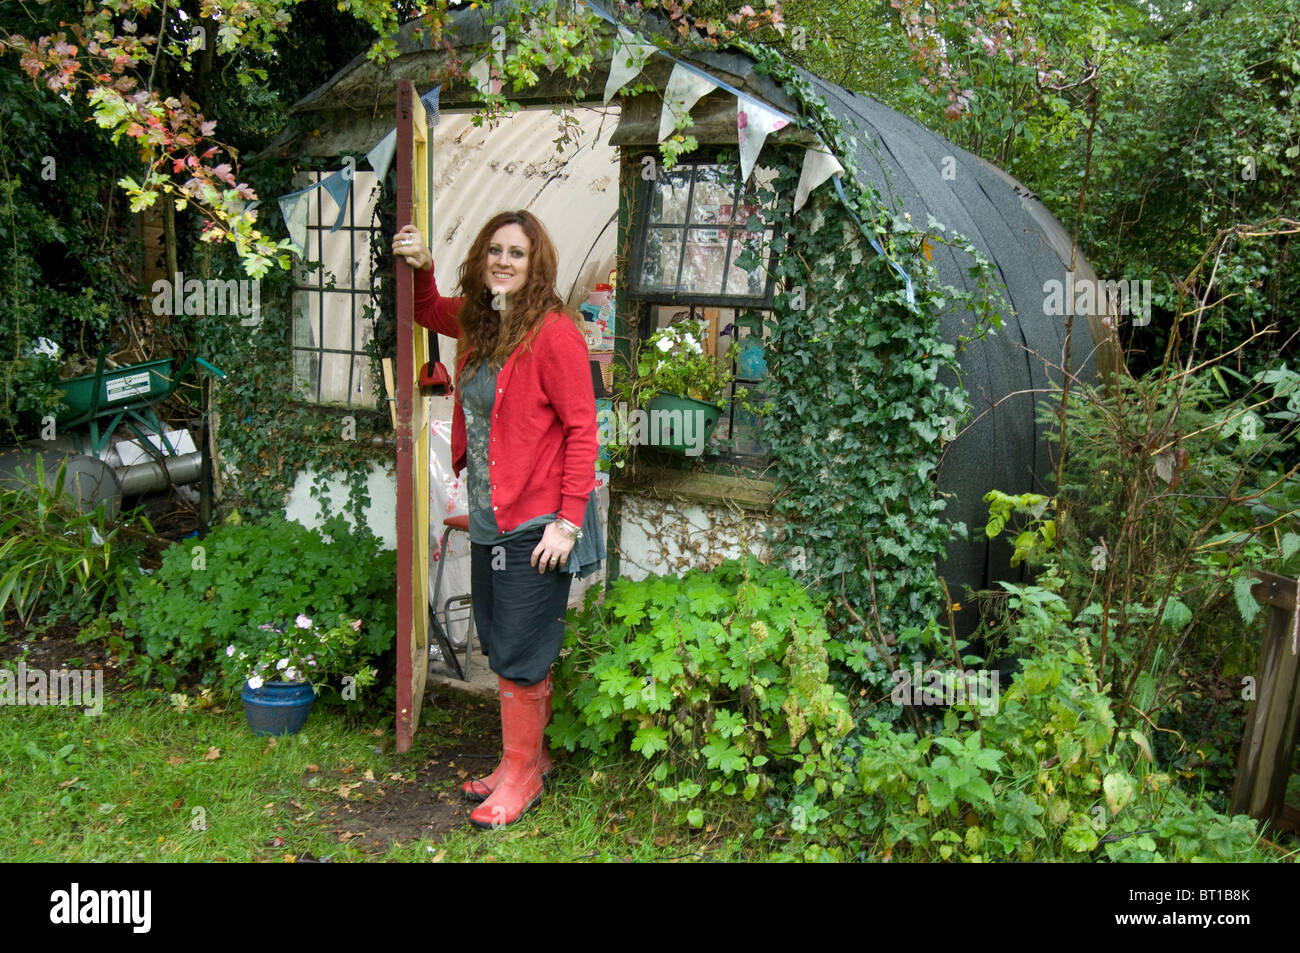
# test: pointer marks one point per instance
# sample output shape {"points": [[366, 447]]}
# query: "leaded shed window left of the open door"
{"points": [[332, 297]]}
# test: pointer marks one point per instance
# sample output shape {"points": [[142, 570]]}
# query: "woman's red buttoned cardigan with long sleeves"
{"points": [[544, 445]]}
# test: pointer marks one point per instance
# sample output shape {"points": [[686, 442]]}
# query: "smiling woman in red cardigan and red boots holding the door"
{"points": [[525, 431]]}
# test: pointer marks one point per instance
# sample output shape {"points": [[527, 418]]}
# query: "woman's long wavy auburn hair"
{"points": [[491, 335]]}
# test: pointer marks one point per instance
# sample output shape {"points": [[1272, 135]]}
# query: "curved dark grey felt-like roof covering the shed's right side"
{"points": [[1011, 372]]}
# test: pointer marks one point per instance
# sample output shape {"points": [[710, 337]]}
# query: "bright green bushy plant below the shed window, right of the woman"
{"points": [[714, 678]]}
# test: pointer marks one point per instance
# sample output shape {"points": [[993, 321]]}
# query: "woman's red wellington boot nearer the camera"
{"points": [[525, 712]]}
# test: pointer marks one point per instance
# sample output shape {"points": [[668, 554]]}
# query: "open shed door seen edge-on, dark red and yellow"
{"points": [[413, 430]]}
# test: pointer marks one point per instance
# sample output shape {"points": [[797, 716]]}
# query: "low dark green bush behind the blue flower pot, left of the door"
{"points": [[216, 592]]}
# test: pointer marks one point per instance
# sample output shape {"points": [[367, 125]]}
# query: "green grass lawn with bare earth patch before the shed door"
{"points": [[153, 779]]}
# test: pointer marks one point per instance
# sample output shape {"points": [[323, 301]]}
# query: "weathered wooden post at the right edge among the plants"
{"points": [[1264, 763]]}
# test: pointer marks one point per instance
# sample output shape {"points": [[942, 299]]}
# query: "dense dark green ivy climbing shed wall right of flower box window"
{"points": [[868, 392]]}
